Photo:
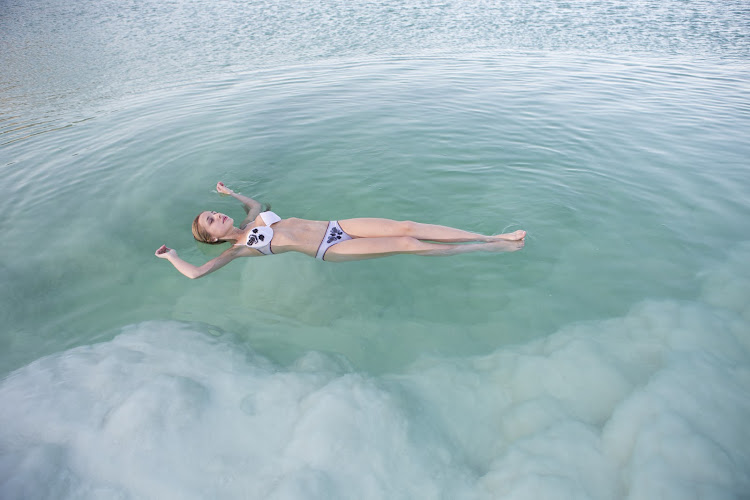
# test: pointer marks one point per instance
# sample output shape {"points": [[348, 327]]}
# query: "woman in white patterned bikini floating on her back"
{"points": [[265, 233]]}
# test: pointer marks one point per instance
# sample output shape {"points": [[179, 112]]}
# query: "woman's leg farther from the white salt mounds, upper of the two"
{"points": [[385, 228]]}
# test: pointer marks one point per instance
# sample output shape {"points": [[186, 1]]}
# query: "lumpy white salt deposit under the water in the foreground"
{"points": [[655, 404]]}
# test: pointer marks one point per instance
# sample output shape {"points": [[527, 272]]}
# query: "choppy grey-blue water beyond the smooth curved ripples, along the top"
{"points": [[69, 61]]}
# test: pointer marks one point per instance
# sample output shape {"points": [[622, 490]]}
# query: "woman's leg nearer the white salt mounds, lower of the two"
{"points": [[372, 248]]}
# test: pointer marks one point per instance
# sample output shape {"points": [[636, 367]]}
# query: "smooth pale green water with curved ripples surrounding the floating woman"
{"points": [[627, 184]]}
